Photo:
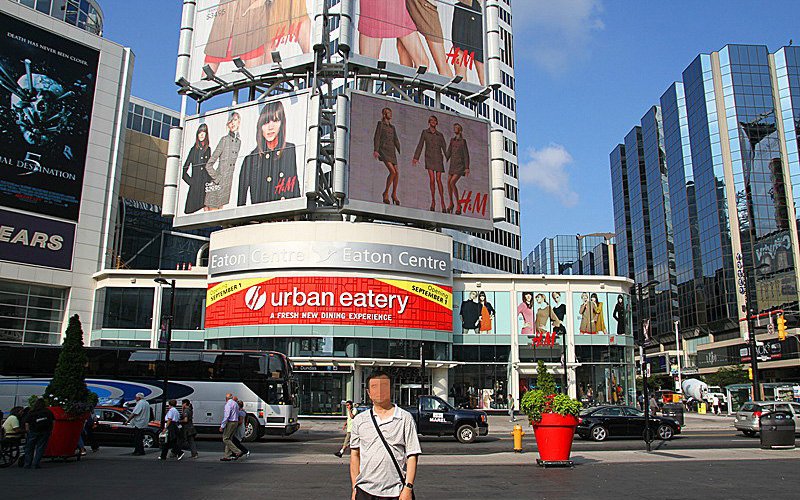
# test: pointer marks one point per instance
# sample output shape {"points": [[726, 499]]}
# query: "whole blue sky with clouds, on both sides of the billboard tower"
{"points": [[586, 72]]}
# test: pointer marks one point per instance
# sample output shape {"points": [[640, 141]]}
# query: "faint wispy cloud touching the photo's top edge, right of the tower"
{"points": [[558, 32]]}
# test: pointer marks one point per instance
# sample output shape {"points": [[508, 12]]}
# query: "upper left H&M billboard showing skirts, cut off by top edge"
{"points": [[249, 30]]}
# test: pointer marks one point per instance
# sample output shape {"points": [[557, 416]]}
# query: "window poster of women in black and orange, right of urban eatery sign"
{"points": [[481, 312]]}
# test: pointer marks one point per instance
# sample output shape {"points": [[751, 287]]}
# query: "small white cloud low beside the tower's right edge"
{"points": [[547, 169]]}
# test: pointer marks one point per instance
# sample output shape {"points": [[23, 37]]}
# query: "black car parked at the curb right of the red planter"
{"points": [[600, 423]]}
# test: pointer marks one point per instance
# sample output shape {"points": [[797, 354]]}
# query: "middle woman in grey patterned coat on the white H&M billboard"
{"points": [[218, 190]]}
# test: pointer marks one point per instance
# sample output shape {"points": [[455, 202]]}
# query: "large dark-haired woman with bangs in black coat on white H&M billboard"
{"points": [[269, 172]]}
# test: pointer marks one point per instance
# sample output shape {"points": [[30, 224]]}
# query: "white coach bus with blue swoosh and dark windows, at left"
{"points": [[262, 380]]}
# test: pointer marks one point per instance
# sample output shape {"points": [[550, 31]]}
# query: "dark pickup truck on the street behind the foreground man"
{"points": [[435, 417]]}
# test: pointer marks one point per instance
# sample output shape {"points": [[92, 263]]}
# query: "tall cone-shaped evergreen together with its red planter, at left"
{"points": [[67, 395]]}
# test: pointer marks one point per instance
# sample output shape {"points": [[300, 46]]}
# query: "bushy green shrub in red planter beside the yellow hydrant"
{"points": [[553, 417]]}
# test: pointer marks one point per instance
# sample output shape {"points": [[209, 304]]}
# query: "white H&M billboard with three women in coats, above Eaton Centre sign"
{"points": [[243, 161]]}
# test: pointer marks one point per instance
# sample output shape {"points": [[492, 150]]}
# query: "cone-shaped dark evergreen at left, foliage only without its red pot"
{"points": [[68, 386]]}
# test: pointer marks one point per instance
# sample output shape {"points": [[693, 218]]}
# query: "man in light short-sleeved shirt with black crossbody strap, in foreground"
{"points": [[384, 447]]}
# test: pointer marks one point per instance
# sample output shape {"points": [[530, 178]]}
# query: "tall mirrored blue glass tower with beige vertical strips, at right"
{"points": [[705, 186]]}
